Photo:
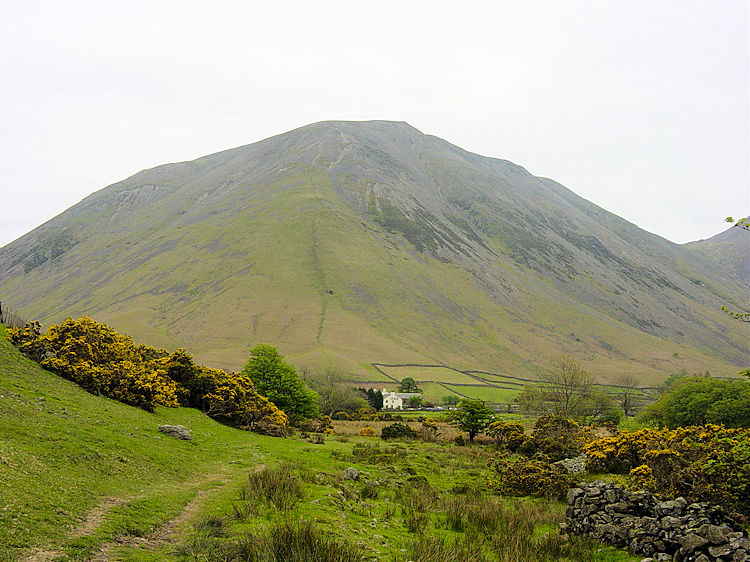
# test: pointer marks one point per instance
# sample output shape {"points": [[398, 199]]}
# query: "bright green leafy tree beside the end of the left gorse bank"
{"points": [[278, 381]]}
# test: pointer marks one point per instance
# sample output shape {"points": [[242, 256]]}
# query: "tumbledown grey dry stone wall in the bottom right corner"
{"points": [[663, 530]]}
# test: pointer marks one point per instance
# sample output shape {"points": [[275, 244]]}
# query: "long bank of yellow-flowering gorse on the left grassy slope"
{"points": [[111, 364]]}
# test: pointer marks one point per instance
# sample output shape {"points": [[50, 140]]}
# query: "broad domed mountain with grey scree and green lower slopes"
{"points": [[346, 243]]}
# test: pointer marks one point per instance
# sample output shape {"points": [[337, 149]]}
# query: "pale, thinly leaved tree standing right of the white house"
{"points": [[565, 390]]}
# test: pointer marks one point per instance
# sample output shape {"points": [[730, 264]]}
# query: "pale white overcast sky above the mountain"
{"points": [[640, 106]]}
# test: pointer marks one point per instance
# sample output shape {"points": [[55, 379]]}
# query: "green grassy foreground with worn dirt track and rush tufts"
{"points": [[81, 473]]}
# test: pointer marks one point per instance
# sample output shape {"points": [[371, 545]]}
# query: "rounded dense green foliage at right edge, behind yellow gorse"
{"points": [[701, 400]]}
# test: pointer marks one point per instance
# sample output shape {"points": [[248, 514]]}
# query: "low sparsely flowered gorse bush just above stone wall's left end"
{"points": [[530, 477]]}
